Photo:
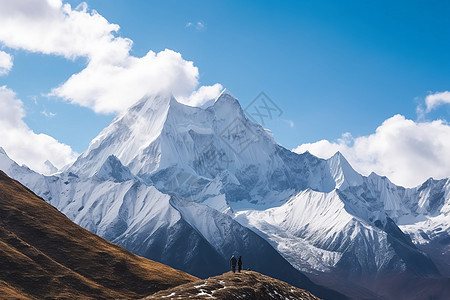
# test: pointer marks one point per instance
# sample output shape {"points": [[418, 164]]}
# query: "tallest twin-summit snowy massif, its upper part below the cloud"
{"points": [[166, 143]]}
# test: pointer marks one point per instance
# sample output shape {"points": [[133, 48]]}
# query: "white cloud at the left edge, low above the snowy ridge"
{"points": [[22, 144]]}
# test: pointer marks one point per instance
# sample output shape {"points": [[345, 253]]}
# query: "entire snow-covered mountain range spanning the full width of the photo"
{"points": [[190, 186]]}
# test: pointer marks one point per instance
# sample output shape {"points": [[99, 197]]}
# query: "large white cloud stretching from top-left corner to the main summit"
{"points": [[112, 79]]}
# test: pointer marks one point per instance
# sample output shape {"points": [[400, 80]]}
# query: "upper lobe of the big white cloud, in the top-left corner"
{"points": [[51, 27]]}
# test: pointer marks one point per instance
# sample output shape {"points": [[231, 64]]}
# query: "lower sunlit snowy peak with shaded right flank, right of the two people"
{"points": [[321, 232]]}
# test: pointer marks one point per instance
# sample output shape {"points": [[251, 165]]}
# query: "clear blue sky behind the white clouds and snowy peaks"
{"points": [[331, 66]]}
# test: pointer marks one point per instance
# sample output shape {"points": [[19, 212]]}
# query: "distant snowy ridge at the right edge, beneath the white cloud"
{"points": [[422, 212]]}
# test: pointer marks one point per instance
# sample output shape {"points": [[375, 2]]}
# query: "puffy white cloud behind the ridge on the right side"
{"points": [[405, 151]]}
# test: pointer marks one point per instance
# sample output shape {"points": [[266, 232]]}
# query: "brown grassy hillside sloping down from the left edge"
{"points": [[45, 255]]}
